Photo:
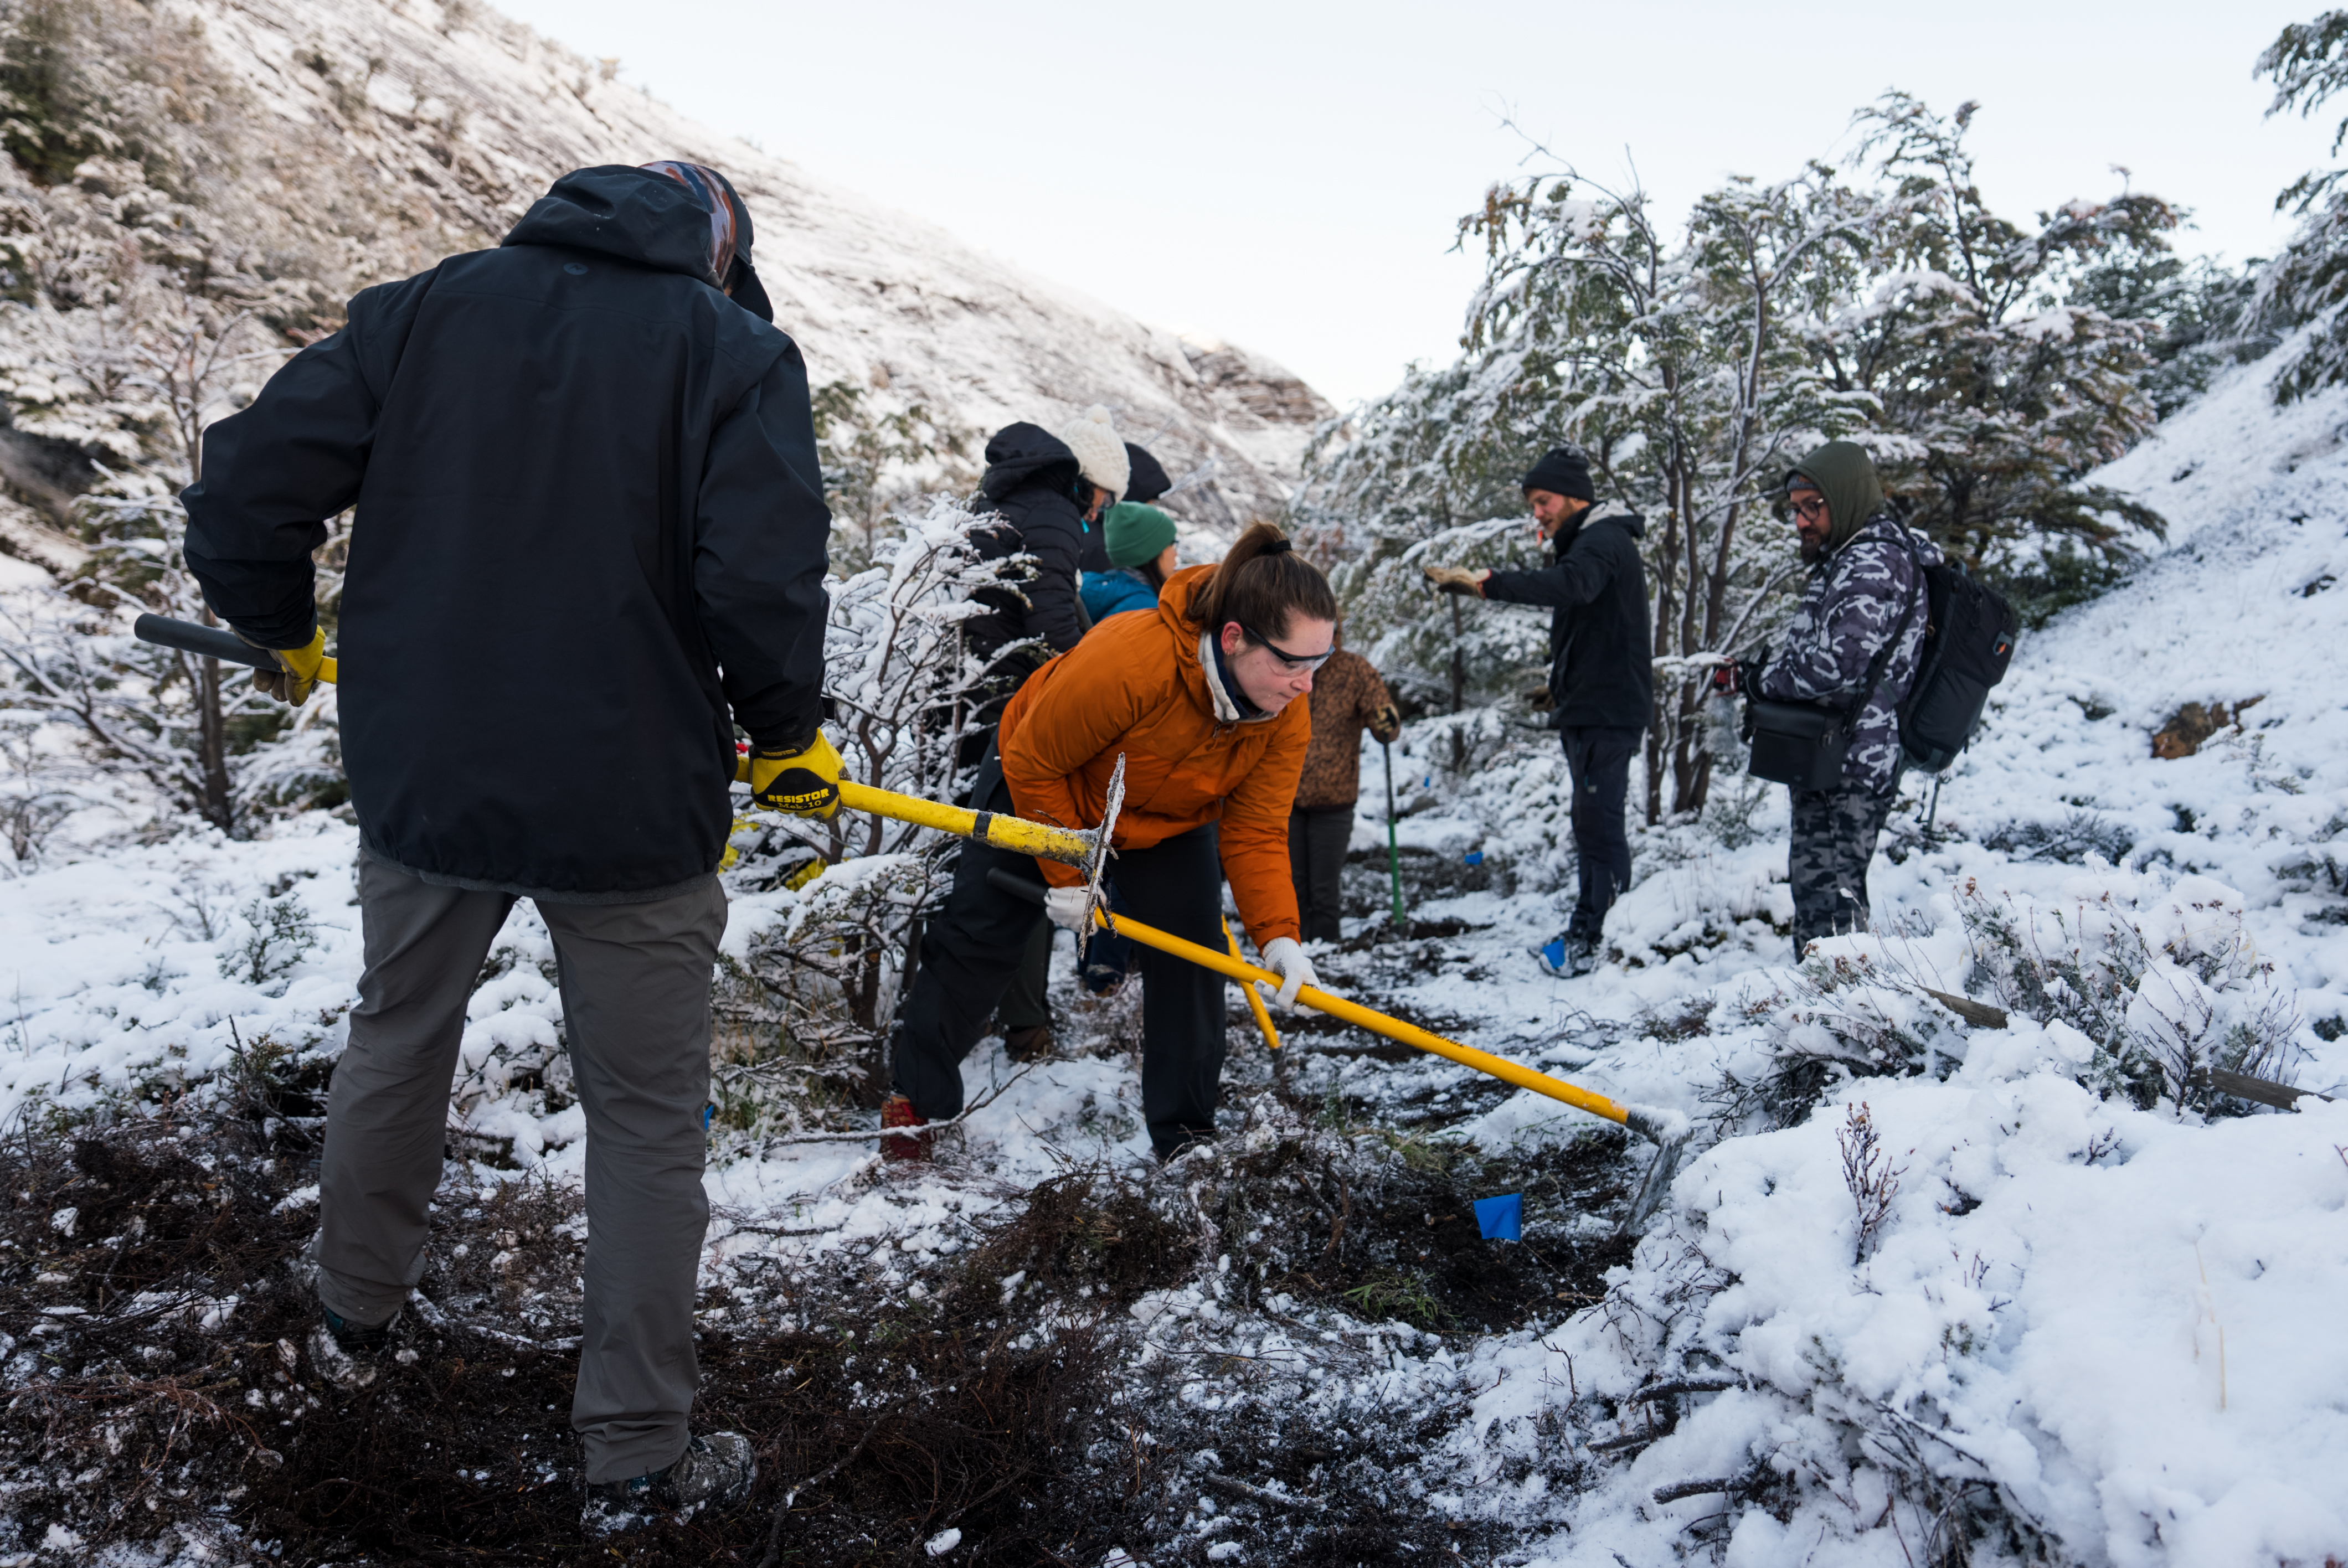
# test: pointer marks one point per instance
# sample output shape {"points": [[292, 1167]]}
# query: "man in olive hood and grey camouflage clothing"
{"points": [[1865, 595]]}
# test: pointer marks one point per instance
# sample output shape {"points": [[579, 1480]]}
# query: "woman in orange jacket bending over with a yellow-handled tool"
{"points": [[1201, 701]]}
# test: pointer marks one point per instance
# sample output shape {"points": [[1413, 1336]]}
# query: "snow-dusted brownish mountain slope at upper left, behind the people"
{"points": [[349, 142]]}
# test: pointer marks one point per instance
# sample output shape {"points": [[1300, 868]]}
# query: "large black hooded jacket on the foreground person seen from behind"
{"points": [[591, 536]]}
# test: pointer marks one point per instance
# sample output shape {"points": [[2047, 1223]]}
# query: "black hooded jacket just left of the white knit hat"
{"points": [[1032, 485]]}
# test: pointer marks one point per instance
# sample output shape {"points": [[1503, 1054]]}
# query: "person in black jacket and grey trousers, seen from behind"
{"points": [[591, 541]]}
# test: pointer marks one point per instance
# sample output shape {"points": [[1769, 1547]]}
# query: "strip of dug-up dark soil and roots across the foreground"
{"points": [[1041, 1393]]}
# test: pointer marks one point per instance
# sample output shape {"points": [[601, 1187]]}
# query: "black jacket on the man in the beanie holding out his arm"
{"points": [[1603, 668]]}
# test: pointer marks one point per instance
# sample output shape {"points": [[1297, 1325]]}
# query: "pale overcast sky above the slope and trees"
{"points": [[1290, 177]]}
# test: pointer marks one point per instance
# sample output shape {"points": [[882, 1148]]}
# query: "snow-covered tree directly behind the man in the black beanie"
{"points": [[1678, 360]]}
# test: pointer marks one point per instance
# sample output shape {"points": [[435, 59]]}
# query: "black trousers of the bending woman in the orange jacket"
{"points": [[971, 954]]}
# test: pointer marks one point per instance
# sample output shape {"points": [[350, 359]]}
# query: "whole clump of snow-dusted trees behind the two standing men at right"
{"points": [[1985, 363]]}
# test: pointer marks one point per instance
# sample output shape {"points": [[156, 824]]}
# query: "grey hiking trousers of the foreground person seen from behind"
{"points": [[635, 982]]}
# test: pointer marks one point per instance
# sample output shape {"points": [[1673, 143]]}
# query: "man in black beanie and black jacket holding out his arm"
{"points": [[1603, 680]]}
